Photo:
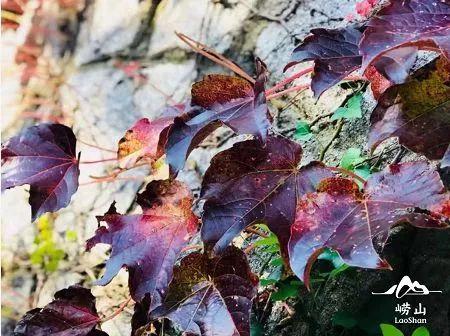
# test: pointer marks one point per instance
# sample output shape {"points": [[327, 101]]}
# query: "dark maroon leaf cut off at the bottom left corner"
{"points": [[71, 313]]}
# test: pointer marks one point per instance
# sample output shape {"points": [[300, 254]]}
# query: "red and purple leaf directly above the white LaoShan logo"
{"points": [[341, 217]]}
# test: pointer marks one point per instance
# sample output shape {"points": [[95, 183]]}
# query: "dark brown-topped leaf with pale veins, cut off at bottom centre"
{"points": [[211, 297]]}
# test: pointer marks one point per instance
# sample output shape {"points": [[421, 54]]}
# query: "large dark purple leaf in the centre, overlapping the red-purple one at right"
{"points": [[249, 184]]}
